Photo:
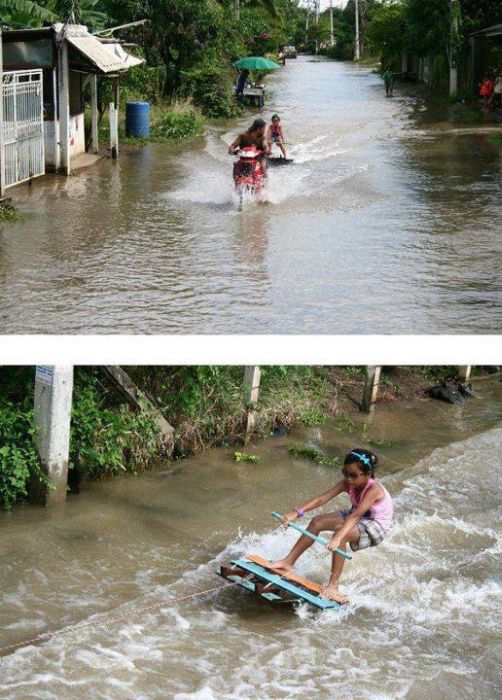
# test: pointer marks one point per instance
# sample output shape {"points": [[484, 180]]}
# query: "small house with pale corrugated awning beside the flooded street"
{"points": [[45, 72]]}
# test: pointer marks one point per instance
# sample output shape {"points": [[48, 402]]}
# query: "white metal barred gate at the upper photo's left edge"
{"points": [[23, 125]]}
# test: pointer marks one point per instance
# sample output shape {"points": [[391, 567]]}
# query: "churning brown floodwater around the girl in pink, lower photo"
{"points": [[425, 612]]}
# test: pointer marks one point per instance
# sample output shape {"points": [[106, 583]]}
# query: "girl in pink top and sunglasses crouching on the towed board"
{"points": [[366, 524]]}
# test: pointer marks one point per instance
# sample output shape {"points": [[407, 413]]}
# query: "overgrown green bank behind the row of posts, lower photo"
{"points": [[206, 405]]}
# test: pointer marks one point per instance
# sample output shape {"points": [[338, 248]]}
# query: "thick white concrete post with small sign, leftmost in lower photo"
{"points": [[53, 400]]}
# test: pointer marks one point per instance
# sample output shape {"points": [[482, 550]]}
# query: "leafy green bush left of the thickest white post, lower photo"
{"points": [[18, 458]]}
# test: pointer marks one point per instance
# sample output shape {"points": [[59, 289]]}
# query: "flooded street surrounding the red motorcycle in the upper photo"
{"points": [[387, 222]]}
